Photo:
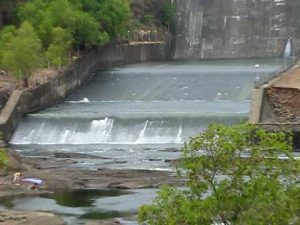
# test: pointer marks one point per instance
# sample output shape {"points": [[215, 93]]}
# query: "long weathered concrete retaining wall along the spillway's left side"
{"points": [[57, 89]]}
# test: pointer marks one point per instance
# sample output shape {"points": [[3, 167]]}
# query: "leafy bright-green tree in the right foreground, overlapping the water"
{"points": [[235, 177]]}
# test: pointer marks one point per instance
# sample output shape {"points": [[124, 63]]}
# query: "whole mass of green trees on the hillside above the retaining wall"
{"points": [[45, 32]]}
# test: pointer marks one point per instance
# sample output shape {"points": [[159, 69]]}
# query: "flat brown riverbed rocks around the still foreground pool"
{"points": [[60, 174]]}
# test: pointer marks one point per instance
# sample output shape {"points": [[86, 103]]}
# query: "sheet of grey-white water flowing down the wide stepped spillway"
{"points": [[137, 116]]}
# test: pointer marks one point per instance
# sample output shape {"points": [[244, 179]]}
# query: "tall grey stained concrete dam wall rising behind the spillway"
{"points": [[235, 28]]}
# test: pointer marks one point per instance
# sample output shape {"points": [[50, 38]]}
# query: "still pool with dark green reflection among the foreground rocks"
{"points": [[78, 205]]}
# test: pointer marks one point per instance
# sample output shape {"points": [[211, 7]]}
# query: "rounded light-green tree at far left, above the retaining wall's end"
{"points": [[22, 53]]}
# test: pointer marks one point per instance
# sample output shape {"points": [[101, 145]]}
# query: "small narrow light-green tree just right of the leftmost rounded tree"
{"points": [[58, 51]]}
